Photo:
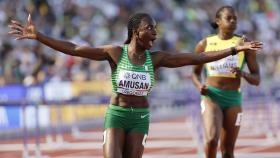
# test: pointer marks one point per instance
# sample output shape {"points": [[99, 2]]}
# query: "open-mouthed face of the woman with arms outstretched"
{"points": [[146, 33]]}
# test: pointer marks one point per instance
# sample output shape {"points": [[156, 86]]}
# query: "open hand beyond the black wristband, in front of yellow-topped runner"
{"points": [[244, 45]]}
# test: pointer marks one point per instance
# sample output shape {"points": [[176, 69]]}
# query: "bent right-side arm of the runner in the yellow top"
{"points": [[254, 76]]}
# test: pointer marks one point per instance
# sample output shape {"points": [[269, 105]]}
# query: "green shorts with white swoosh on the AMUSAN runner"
{"points": [[129, 119]]}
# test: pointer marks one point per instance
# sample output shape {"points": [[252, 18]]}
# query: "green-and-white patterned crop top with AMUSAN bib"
{"points": [[131, 79]]}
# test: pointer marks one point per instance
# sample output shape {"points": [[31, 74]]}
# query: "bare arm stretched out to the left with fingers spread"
{"points": [[29, 32]]}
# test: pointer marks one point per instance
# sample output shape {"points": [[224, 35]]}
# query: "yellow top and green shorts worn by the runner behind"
{"points": [[221, 68]]}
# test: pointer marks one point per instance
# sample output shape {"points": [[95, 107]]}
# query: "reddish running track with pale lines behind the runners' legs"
{"points": [[175, 138]]}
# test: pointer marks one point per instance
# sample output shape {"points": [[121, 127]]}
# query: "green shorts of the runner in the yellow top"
{"points": [[224, 98]]}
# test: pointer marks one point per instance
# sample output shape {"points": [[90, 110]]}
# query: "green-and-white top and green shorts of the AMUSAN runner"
{"points": [[130, 79]]}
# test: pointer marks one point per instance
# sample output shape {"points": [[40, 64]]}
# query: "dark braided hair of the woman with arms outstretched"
{"points": [[133, 23]]}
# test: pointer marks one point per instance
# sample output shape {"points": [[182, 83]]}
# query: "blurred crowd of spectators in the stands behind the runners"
{"points": [[181, 24]]}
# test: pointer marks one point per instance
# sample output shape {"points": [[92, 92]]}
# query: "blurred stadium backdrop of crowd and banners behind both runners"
{"points": [[42, 90]]}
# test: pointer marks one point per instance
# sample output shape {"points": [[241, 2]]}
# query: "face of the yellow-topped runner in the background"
{"points": [[227, 20]]}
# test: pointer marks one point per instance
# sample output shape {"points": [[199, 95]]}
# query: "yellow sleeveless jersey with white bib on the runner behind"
{"points": [[221, 68]]}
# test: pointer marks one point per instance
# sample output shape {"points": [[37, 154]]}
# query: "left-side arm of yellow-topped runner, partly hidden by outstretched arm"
{"points": [[197, 69]]}
